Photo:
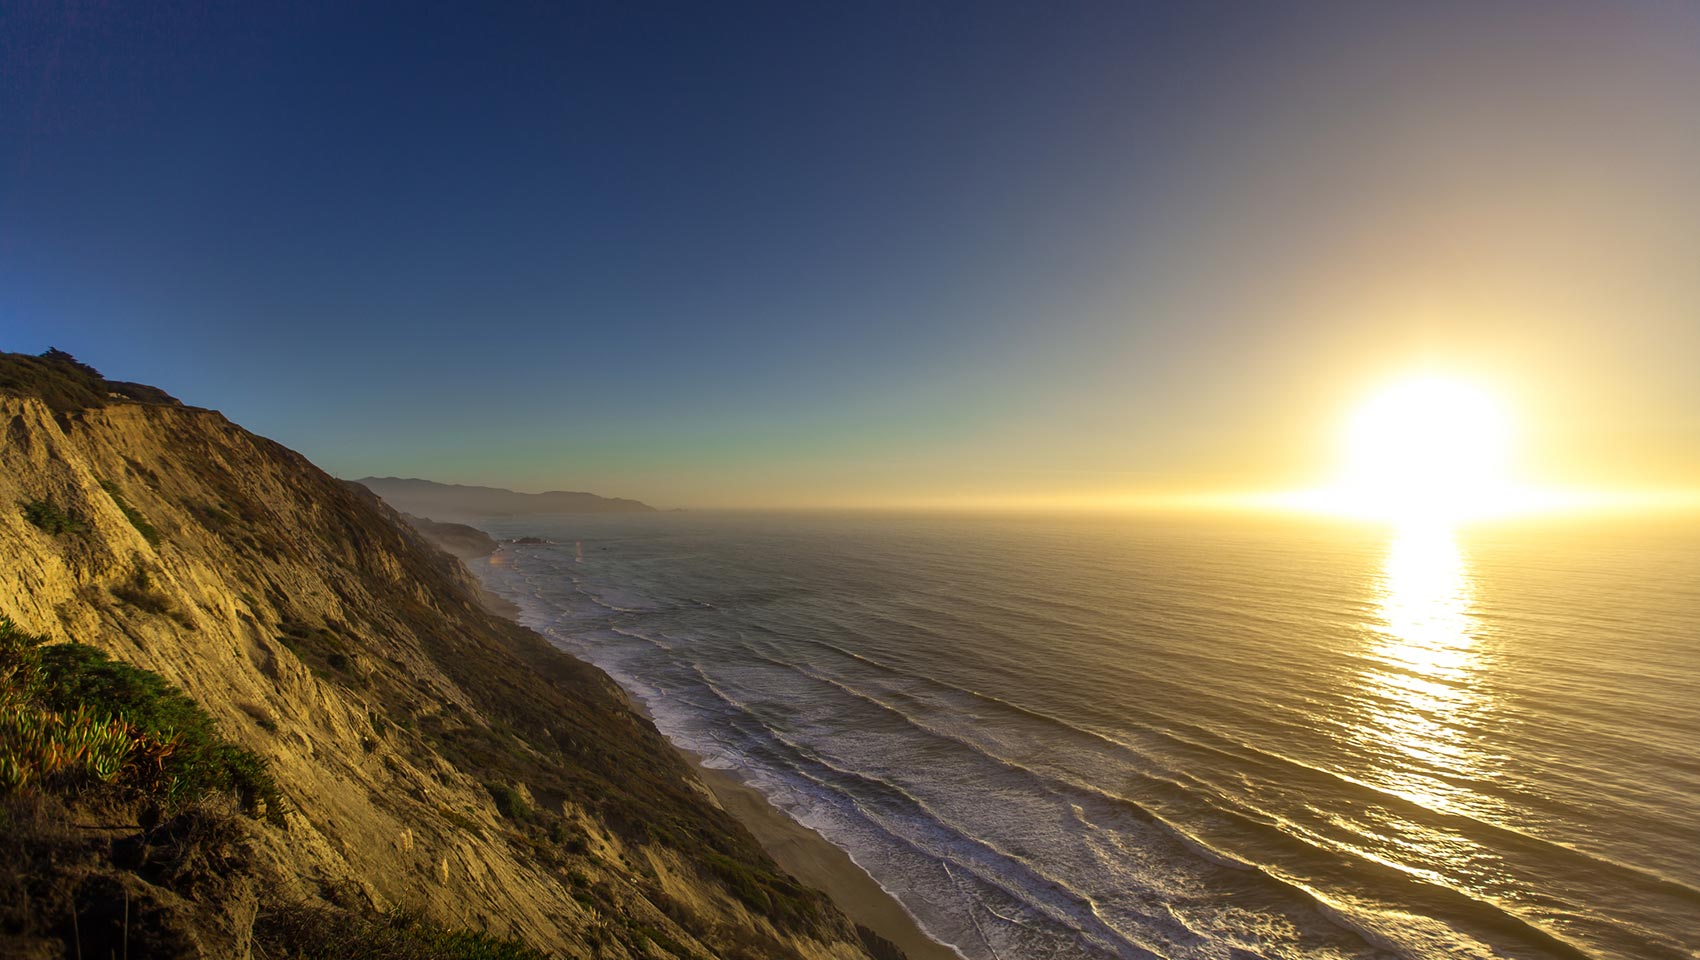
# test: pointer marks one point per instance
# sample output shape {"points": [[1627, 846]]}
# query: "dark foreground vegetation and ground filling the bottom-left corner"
{"points": [[81, 733]]}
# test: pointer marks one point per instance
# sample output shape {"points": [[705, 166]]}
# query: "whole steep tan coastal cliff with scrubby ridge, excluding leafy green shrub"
{"points": [[438, 769]]}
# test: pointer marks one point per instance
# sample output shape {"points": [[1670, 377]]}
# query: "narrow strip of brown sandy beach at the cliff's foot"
{"points": [[796, 849]]}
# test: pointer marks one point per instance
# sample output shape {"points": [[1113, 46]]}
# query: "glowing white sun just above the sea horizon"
{"points": [[1427, 451]]}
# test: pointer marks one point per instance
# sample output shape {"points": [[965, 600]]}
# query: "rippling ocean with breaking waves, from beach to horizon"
{"points": [[1159, 738]]}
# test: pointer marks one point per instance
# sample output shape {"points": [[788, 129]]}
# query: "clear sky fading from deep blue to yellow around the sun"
{"points": [[859, 254]]}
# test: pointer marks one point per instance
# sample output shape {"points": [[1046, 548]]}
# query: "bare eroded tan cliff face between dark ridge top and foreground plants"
{"points": [[433, 757]]}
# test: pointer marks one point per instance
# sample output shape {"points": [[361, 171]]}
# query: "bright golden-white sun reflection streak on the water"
{"points": [[1425, 662]]}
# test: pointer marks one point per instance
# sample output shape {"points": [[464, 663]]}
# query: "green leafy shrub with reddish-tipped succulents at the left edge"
{"points": [[71, 716]]}
